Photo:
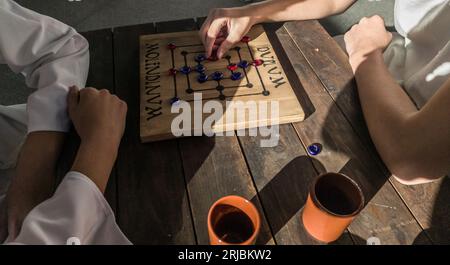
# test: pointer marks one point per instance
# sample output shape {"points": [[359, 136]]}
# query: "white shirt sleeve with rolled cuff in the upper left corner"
{"points": [[51, 55]]}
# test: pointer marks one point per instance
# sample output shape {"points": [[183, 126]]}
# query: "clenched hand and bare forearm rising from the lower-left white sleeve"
{"points": [[99, 119]]}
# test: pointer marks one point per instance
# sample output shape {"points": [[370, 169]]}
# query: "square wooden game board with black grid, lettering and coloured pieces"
{"points": [[159, 88]]}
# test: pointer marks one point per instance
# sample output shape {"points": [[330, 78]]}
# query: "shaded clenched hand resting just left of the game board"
{"points": [[97, 115]]}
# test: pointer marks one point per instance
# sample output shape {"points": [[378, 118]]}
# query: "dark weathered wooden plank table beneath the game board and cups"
{"points": [[161, 191]]}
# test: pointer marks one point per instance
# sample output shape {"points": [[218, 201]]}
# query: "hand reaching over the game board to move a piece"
{"points": [[223, 28]]}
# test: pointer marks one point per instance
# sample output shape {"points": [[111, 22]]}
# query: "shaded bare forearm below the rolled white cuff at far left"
{"points": [[35, 176]]}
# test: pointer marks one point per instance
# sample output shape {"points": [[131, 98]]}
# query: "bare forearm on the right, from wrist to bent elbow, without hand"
{"points": [[390, 117]]}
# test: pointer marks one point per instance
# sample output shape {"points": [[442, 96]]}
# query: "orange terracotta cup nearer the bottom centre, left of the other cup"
{"points": [[233, 220]]}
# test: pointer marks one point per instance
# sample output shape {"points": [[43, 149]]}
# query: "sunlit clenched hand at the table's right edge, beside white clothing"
{"points": [[364, 38]]}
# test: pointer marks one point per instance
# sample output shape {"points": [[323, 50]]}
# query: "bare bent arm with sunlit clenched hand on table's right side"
{"points": [[414, 144]]}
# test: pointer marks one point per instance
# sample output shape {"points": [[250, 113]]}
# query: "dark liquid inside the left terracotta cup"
{"points": [[232, 225]]}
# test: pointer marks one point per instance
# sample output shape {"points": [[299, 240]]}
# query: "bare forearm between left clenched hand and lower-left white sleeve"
{"points": [[95, 159]]}
